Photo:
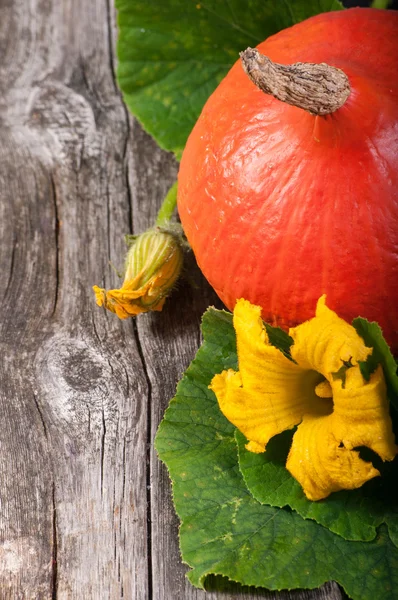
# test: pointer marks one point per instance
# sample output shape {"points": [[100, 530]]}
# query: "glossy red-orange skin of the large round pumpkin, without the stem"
{"points": [[281, 206]]}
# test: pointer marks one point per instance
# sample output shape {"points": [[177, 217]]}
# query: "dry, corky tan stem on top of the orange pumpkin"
{"points": [[317, 88]]}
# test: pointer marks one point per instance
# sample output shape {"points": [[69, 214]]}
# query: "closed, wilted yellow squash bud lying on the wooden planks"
{"points": [[153, 265]]}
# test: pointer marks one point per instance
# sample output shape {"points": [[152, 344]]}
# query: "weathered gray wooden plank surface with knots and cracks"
{"points": [[85, 506]]}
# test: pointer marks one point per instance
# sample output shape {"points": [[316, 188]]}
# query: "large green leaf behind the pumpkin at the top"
{"points": [[172, 55]]}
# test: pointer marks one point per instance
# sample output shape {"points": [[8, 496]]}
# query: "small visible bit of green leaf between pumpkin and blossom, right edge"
{"points": [[373, 337]]}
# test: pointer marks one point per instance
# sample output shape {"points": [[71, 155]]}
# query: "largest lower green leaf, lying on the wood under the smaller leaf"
{"points": [[224, 530]]}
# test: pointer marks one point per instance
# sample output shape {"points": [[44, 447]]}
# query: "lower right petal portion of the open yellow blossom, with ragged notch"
{"points": [[322, 457]]}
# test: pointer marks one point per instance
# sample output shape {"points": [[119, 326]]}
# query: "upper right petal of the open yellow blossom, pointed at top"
{"points": [[326, 341]]}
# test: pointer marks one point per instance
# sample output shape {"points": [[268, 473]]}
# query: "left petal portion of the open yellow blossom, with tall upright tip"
{"points": [[270, 393]]}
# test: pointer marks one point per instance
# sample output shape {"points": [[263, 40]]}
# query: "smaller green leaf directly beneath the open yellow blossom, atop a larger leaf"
{"points": [[354, 514]]}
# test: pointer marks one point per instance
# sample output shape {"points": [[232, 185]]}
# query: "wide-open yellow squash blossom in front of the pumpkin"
{"points": [[323, 392]]}
